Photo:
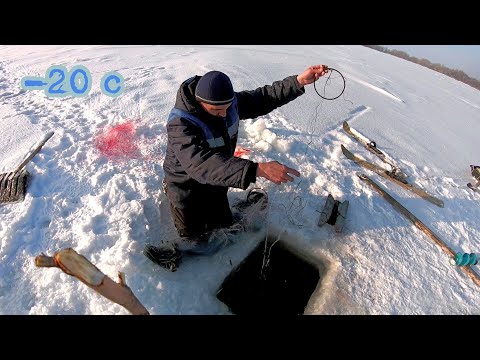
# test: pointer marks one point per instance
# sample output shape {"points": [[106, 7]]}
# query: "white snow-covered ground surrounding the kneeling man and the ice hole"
{"points": [[108, 207]]}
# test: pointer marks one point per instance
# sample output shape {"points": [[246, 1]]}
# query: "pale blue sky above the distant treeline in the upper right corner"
{"points": [[460, 57]]}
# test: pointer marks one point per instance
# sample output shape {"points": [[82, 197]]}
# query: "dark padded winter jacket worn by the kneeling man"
{"points": [[198, 175]]}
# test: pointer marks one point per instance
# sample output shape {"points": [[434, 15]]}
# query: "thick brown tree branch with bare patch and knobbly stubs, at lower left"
{"points": [[78, 266]]}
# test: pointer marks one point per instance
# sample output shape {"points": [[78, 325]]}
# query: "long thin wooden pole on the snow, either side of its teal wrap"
{"points": [[472, 274]]}
